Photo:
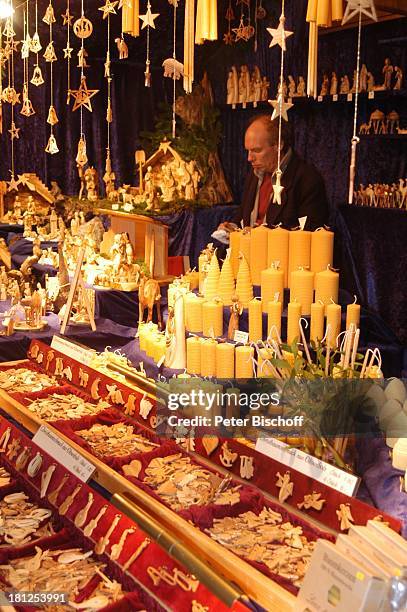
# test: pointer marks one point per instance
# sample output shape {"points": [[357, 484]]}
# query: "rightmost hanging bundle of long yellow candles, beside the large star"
{"points": [[320, 13]]}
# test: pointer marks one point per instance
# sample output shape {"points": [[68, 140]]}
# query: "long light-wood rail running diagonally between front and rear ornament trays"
{"points": [[256, 585]]}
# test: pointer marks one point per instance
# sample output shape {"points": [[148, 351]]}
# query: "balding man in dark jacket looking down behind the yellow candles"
{"points": [[304, 191]]}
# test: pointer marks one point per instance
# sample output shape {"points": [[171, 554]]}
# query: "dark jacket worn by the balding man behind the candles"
{"points": [[303, 195]]}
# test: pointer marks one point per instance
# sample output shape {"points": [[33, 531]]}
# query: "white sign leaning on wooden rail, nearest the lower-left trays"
{"points": [[60, 450]]}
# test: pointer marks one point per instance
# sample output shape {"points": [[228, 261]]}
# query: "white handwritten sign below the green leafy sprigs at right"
{"points": [[310, 466]]}
